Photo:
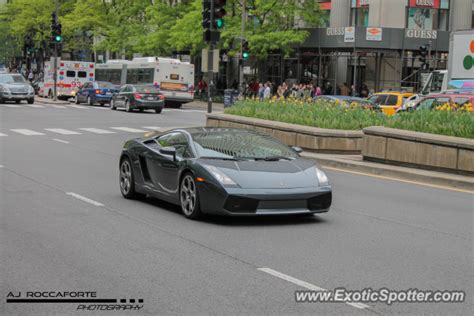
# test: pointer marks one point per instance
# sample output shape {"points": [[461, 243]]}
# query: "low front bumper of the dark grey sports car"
{"points": [[260, 202]]}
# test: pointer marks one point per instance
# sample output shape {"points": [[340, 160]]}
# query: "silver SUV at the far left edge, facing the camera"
{"points": [[14, 87]]}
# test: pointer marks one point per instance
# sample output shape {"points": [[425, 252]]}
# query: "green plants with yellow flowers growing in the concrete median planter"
{"points": [[324, 115]]}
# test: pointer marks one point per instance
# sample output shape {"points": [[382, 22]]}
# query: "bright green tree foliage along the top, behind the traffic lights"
{"points": [[158, 27]]}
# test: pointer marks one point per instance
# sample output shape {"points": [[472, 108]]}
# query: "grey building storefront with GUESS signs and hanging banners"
{"points": [[374, 42]]}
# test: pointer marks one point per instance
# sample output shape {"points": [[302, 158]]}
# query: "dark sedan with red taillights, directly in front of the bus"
{"points": [[140, 97]]}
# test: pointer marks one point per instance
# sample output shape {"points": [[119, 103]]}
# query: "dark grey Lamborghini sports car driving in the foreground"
{"points": [[223, 171]]}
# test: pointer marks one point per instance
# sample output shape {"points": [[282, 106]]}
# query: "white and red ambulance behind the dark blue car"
{"points": [[71, 75]]}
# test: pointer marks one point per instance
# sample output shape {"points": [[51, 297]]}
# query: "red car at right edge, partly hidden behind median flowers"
{"points": [[456, 100]]}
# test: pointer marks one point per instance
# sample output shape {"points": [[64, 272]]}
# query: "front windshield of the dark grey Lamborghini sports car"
{"points": [[240, 145]]}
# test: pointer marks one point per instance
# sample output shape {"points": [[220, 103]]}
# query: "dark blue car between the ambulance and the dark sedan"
{"points": [[95, 92]]}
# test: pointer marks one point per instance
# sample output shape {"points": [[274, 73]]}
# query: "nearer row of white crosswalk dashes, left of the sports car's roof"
{"points": [[77, 131]]}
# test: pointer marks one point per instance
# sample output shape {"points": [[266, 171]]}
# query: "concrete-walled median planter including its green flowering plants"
{"points": [[439, 140]]}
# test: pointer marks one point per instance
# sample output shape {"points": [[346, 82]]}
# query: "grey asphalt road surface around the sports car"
{"points": [[65, 227]]}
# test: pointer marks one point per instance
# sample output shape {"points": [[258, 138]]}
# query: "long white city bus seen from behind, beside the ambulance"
{"points": [[173, 77]]}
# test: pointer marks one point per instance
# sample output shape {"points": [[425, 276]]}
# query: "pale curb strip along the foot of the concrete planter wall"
{"points": [[355, 163]]}
